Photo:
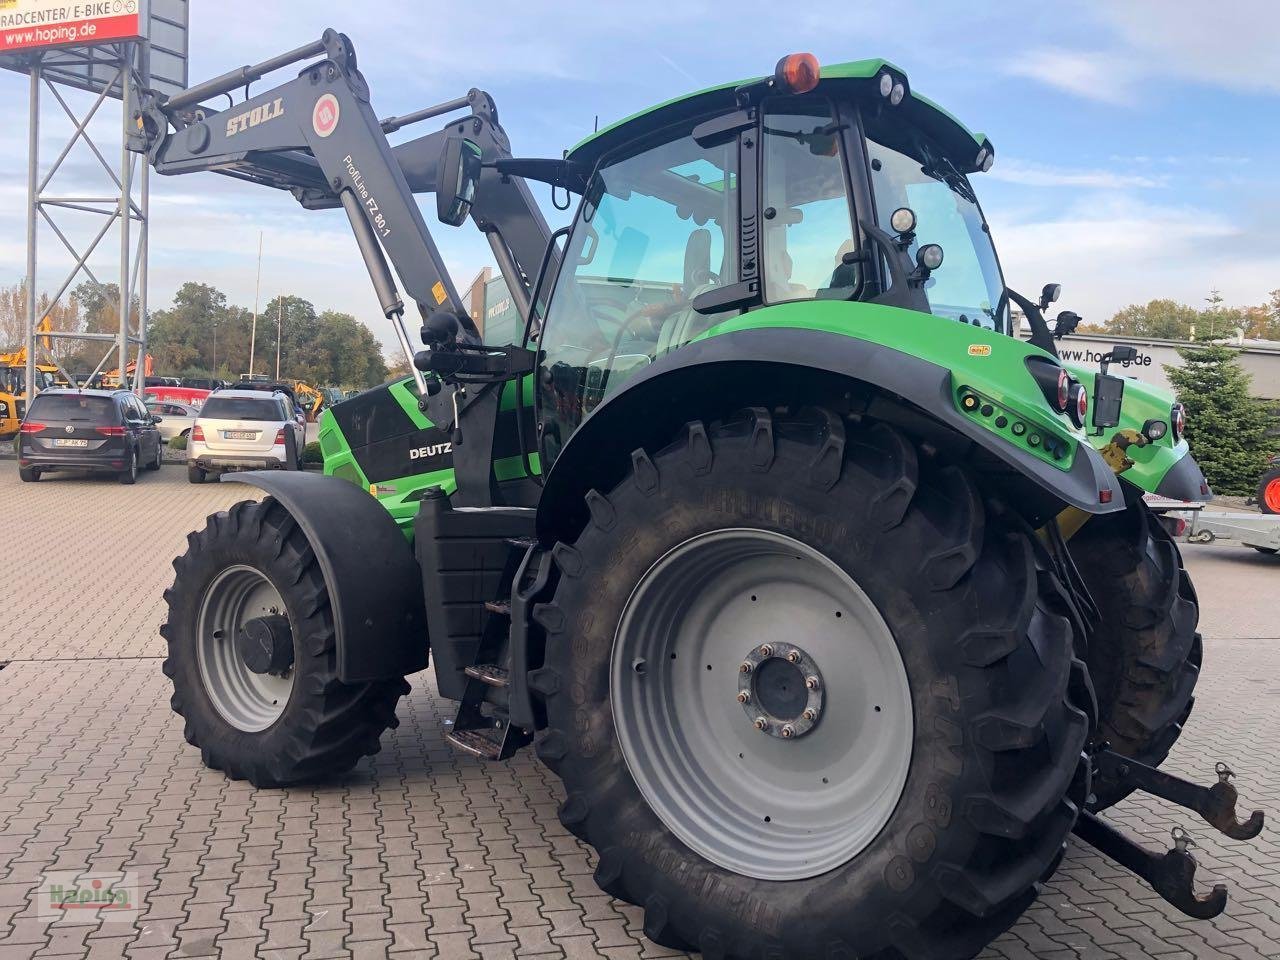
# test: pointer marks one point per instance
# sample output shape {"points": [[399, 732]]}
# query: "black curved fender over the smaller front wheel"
{"points": [[376, 588]]}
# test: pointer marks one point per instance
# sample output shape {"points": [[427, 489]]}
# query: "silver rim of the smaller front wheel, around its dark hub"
{"points": [[250, 702]]}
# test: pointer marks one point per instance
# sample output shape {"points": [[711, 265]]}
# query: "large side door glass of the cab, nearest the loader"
{"points": [[650, 237]]}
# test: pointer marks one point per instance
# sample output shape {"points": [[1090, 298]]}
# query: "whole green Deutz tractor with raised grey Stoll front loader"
{"points": [[788, 557]]}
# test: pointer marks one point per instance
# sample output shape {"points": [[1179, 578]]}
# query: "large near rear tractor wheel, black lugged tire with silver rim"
{"points": [[993, 774]]}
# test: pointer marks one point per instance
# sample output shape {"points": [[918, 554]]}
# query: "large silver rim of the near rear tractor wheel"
{"points": [[753, 801]]}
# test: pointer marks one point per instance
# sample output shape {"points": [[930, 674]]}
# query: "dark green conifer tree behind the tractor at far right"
{"points": [[1227, 428]]}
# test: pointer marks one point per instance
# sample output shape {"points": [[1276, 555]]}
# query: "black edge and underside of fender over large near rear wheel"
{"points": [[712, 377]]}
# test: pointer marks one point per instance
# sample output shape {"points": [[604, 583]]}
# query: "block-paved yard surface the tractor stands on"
{"points": [[429, 853]]}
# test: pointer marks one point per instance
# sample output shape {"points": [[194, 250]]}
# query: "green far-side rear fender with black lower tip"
{"points": [[1167, 467]]}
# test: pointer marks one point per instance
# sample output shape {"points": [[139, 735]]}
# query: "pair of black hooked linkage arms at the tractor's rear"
{"points": [[1171, 875]]}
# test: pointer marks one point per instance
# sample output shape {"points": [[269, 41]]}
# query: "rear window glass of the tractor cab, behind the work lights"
{"points": [[968, 287]]}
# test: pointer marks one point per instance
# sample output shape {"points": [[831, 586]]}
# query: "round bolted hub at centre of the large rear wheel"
{"points": [[781, 691]]}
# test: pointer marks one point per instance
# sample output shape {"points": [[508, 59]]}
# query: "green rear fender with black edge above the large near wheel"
{"points": [[732, 367]]}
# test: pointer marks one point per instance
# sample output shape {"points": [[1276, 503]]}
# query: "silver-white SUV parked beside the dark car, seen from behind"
{"points": [[244, 429]]}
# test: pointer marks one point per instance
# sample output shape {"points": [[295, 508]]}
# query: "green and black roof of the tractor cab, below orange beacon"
{"points": [[858, 77]]}
